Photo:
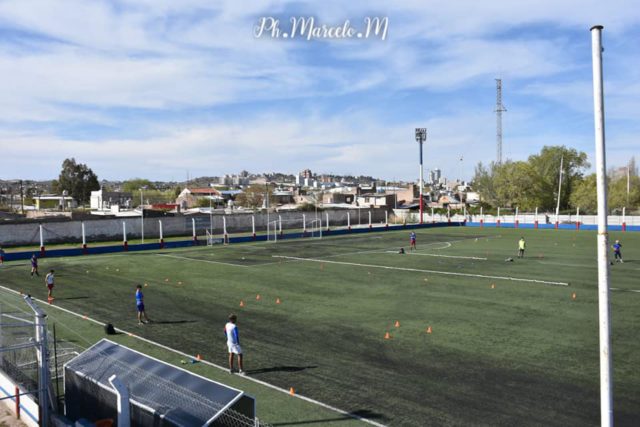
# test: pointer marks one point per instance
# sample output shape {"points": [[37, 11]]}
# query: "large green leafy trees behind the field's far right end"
{"points": [[534, 183]]}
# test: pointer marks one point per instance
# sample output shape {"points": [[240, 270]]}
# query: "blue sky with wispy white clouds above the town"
{"points": [[162, 88]]}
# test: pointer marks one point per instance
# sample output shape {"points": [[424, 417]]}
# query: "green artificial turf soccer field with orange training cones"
{"points": [[509, 342]]}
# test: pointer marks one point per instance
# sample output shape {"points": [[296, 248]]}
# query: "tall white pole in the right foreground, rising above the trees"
{"points": [[606, 391]]}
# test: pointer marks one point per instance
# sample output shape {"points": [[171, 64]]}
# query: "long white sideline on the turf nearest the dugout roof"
{"points": [[255, 380]]}
